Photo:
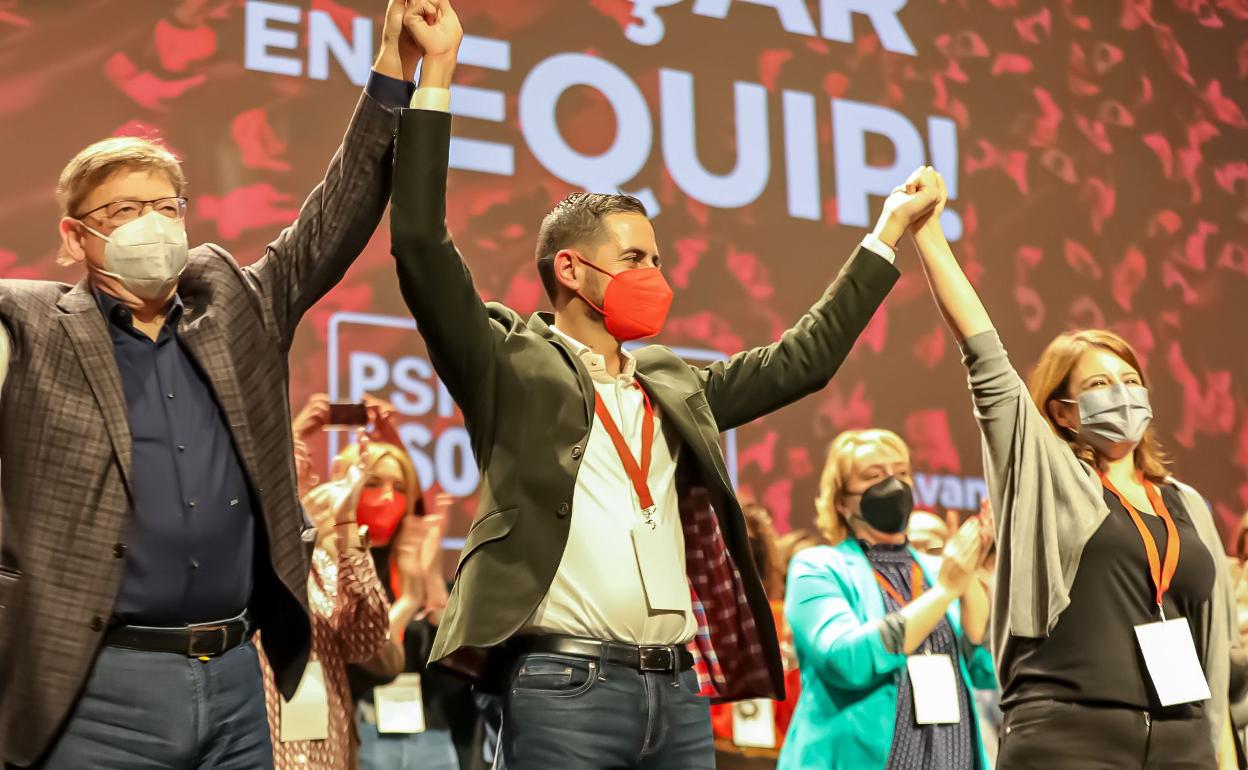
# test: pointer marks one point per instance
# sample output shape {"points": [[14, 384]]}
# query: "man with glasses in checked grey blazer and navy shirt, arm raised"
{"points": [[152, 521]]}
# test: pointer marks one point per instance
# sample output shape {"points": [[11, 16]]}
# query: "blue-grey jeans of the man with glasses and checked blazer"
{"points": [[160, 711]]}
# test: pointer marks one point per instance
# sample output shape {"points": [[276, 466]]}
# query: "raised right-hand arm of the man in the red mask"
{"points": [[761, 381]]}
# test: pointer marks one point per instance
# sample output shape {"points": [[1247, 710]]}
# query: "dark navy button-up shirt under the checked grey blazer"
{"points": [[190, 540]]}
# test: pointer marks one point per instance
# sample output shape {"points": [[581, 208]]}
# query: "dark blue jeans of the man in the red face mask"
{"points": [[572, 714]]}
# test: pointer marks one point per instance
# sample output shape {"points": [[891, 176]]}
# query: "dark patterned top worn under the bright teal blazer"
{"points": [[924, 747]]}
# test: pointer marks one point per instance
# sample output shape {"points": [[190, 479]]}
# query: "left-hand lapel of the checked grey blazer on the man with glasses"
{"points": [[87, 329]]}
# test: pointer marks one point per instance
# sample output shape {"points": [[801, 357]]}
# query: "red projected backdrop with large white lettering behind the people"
{"points": [[1098, 150]]}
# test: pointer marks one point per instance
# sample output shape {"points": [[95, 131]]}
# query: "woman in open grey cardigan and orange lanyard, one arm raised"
{"points": [[1111, 575]]}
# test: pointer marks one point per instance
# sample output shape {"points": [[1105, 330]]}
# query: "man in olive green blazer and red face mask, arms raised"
{"points": [[571, 597]]}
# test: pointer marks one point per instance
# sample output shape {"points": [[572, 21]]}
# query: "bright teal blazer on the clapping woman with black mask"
{"points": [[848, 707]]}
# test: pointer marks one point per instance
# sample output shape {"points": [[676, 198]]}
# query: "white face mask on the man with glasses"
{"points": [[147, 255]]}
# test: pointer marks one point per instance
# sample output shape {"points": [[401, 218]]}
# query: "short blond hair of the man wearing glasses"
{"points": [[102, 160]]}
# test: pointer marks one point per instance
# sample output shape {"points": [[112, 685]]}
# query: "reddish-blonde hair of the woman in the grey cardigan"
{"points": [[1051, 381]]}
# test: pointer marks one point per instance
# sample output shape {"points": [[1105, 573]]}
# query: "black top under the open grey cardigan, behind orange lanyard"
{"points": [[1093, 656]]}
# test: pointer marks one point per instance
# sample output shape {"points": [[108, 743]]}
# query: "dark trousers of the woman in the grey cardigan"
{"points": [[1046, 734]]}
